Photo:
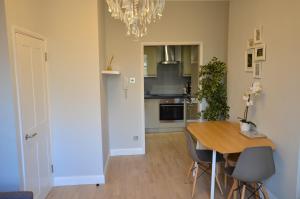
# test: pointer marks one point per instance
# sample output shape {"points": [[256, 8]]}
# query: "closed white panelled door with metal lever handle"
{"points": [[33, 109]]}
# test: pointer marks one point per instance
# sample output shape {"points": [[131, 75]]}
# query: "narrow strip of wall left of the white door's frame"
{"points": [[9, 173]]}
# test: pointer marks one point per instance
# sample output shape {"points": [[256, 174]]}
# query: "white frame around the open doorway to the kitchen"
{"points": [[143, 44]]}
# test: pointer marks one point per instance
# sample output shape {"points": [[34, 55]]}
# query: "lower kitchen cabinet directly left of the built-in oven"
{"points": [[152, 113]]}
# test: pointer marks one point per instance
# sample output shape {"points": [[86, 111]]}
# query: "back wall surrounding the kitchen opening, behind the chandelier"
{"points": [[181, 22]]}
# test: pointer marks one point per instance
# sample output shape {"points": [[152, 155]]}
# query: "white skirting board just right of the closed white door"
{"points": [[79, 180]]}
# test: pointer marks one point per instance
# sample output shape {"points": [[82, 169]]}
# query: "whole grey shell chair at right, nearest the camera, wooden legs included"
{"points": [[253, 166]]}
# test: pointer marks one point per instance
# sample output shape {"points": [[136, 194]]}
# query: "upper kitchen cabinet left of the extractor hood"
{"points": [[151, 58]]}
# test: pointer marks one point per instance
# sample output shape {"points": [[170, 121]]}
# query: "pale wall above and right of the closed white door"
{"points": [[71, 28]]}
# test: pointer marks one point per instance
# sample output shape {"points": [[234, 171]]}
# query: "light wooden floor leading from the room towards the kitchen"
{"points": [[160, 174]]}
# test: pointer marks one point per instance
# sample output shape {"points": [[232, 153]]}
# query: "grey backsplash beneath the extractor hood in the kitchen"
{"points": [[169, 80]]}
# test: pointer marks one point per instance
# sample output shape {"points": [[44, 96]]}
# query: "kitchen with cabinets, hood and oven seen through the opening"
{"points": [[170, 84]]}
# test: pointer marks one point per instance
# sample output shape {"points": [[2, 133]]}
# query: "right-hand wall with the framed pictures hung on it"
{"points": [[277, 111]]}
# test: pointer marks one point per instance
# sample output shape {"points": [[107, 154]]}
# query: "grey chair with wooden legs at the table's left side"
{"points": [[200, 156]]}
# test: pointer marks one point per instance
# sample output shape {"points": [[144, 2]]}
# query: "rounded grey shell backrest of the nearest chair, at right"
{"points": [[255, 165]]}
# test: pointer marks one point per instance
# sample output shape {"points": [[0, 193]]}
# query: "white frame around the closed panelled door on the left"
{"points": [[19, 133]]}
